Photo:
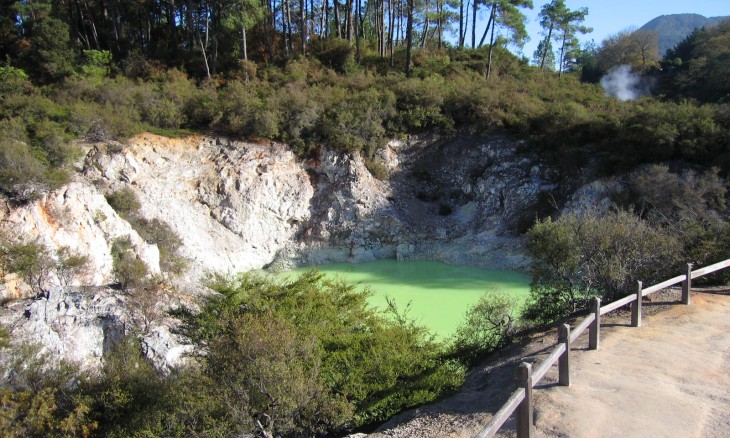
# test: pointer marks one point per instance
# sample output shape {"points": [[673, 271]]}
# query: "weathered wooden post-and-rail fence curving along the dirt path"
{"points": [[520, 401]]}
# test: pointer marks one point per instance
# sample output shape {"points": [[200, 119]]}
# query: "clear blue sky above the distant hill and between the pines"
{"points": [[608, 17]]}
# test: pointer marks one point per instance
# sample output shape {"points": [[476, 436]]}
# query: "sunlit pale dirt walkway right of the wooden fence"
{"points": [[668, 378]]}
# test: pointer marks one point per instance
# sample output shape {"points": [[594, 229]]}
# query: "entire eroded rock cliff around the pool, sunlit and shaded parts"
{"points": [[241, 206]]}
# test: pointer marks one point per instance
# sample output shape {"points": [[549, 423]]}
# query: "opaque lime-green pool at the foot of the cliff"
{"points": [[439, 294]]}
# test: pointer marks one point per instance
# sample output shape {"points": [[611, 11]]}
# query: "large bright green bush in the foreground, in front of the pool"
{"points": [[319, 359]]}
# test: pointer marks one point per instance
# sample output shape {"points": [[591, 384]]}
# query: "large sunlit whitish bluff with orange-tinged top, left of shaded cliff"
{"points": [[234, 205]]}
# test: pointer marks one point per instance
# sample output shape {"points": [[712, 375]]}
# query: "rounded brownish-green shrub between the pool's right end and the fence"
{"points": [[583, 255]]}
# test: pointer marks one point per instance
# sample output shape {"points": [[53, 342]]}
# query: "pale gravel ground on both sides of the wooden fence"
{"points": [[668, 378]]}
